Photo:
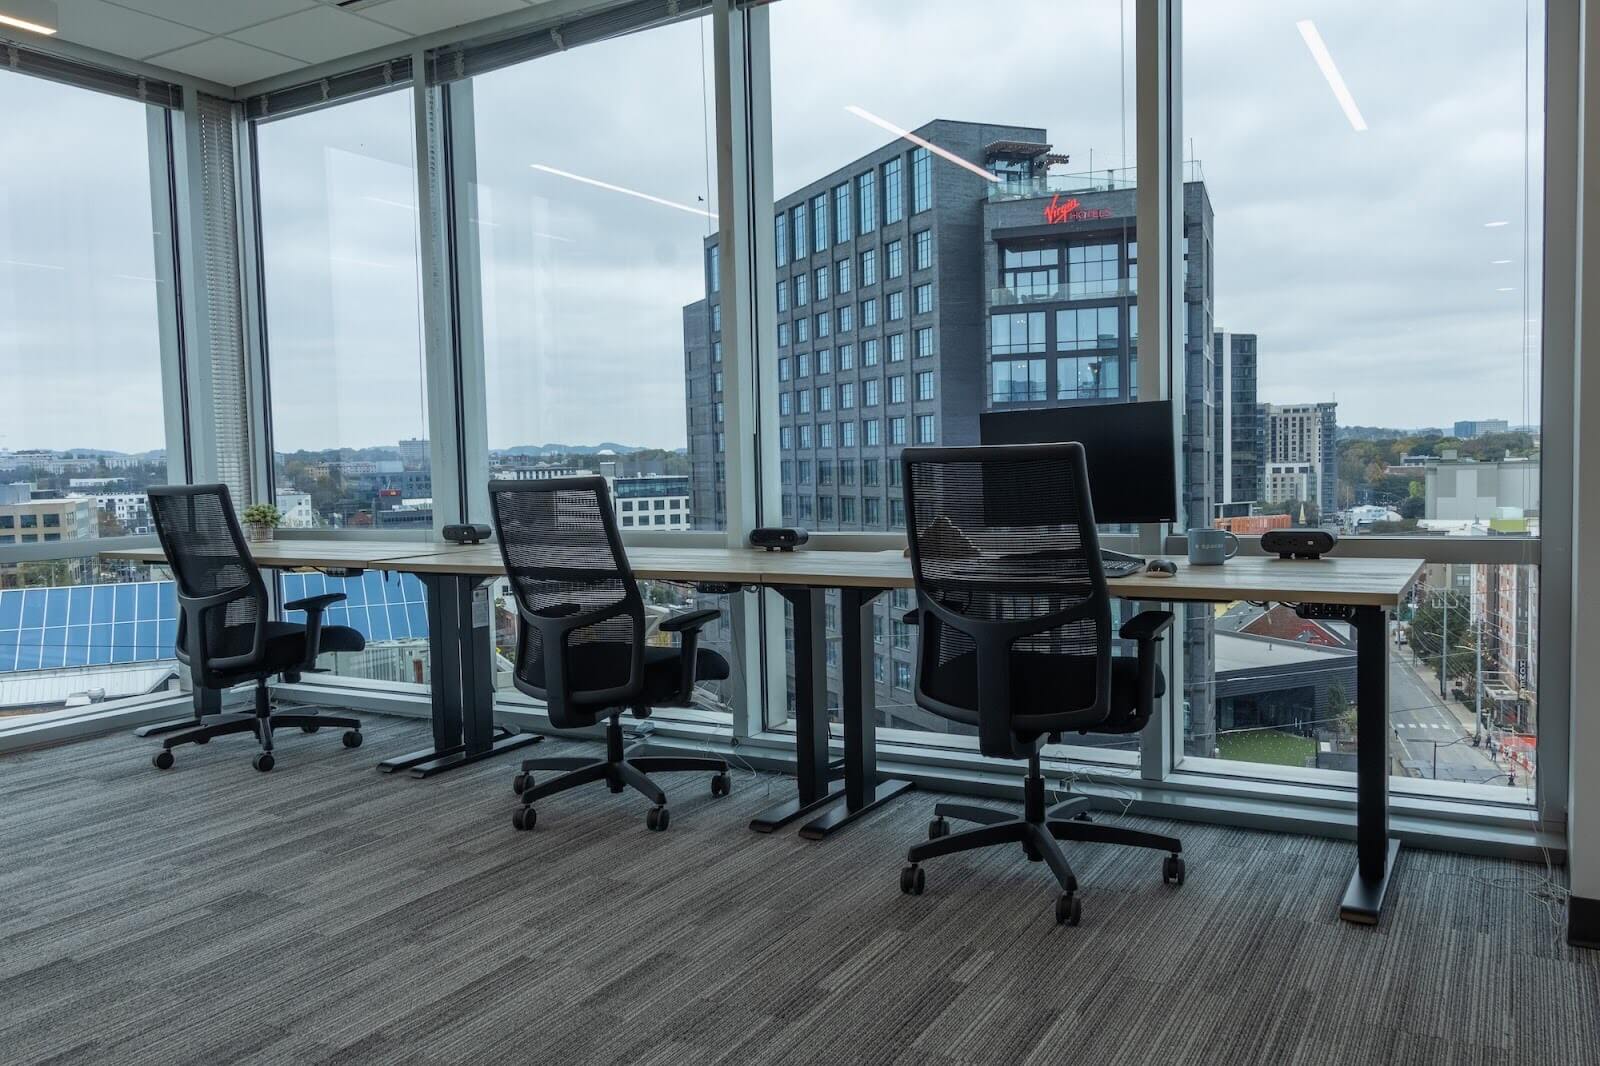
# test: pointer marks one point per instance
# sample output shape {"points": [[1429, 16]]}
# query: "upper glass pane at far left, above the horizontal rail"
{"points": [[82, 295]]}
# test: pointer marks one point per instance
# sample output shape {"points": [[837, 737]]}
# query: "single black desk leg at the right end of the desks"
{"points": [[1364, 899]]}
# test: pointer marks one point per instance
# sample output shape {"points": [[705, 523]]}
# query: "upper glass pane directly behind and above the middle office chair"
{"points": [[601, 271]]}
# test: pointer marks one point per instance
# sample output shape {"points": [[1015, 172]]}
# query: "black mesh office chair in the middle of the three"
{"points": [[582, 644]]}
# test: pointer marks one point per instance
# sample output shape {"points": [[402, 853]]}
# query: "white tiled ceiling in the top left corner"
{"points": [[236, 42]]}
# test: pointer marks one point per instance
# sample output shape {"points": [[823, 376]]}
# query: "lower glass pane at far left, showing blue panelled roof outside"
{"points": [[81, 631]]}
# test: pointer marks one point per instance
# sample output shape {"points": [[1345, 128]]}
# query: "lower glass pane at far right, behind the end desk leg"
{"points": [[1463, 686]]}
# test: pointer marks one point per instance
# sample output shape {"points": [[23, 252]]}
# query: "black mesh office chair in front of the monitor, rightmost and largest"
{"points": [[1015, 638]]}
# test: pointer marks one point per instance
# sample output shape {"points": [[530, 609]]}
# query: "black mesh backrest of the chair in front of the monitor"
{"points": [[1006, 558]]}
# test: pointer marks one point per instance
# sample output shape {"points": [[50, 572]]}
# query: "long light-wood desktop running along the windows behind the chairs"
{"points": [[1334, 580]]}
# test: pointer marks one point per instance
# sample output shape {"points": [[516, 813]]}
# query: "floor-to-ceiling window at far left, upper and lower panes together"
{"points": [[87, 303]]}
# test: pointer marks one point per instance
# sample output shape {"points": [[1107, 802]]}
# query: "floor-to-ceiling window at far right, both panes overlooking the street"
{"points": [[1362, 353]]}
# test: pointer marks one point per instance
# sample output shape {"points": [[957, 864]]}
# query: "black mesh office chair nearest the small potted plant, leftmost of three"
{"points": [[223, 630]]}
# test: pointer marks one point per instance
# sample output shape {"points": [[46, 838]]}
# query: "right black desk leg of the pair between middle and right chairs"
{"points": [[863, 790]]}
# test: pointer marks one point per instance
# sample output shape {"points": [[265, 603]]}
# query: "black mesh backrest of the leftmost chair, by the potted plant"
{"points": [[206, 548]]}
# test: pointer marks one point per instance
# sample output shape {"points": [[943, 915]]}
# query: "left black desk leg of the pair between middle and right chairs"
{"points": [[812, 734]]}
